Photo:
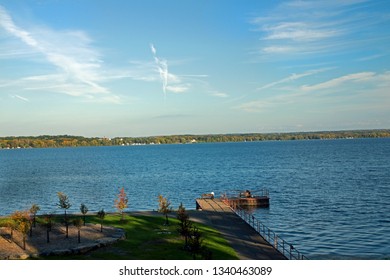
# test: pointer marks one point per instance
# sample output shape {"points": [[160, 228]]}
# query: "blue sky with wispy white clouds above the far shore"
{"points": [[140, 68]]}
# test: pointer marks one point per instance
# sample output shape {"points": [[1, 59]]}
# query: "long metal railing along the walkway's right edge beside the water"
{"points": [[284, 247]]}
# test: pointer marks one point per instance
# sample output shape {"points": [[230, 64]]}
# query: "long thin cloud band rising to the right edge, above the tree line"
{"points": [[368, 86]]}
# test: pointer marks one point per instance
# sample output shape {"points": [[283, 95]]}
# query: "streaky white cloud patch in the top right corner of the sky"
{"points": [[297, 28]]}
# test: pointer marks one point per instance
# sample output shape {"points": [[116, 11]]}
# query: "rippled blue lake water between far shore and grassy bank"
{"points": [[330, 198]]}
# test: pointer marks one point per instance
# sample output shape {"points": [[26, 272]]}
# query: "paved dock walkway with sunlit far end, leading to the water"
{"points": [[248, 244]]}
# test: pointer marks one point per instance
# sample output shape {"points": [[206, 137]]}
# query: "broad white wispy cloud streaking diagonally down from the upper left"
{"points": [[78, 64]]}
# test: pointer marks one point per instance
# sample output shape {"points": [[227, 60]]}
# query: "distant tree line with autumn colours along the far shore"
{"points": [[46, 141]]}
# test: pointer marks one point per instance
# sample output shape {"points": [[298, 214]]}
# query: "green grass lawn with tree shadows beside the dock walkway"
{"points": [[147, 238]]}
